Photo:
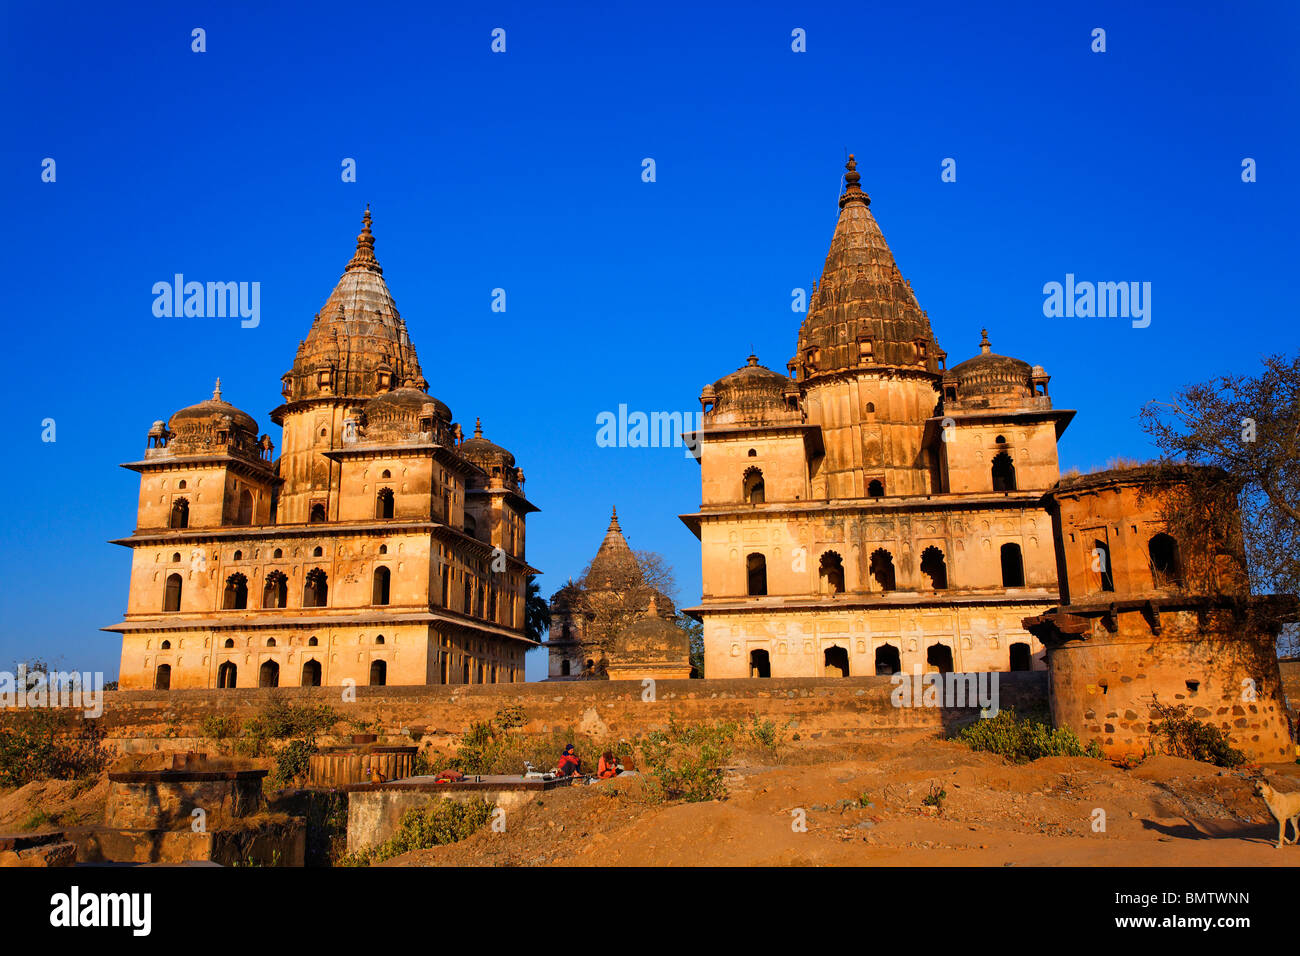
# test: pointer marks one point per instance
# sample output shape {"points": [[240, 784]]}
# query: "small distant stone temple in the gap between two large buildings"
{"points": [[614, 624]]}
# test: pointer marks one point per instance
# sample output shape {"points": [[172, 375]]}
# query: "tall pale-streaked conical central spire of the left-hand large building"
{"points": [[358, 344]]}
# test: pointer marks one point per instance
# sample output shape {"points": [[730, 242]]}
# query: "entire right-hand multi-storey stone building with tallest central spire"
{"points": [[876, 511]]}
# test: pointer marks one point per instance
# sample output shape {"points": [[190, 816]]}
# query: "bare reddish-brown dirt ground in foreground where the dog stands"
{"points": [[1167, 812]]}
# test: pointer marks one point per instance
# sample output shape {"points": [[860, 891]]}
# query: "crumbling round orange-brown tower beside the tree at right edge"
{"points": [[1145, 620]]}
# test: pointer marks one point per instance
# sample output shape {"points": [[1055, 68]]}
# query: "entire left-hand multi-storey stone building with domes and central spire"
{"points": [[380, 547]]}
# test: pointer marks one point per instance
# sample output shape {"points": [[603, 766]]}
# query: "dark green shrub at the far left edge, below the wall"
{"points": [[46, 745]]}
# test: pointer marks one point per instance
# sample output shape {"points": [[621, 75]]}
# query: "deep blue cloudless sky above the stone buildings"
{"points": [[522, 171]]}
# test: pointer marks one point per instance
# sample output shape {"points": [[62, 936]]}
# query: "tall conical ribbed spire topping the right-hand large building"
{"points": [[863, 296]]}
